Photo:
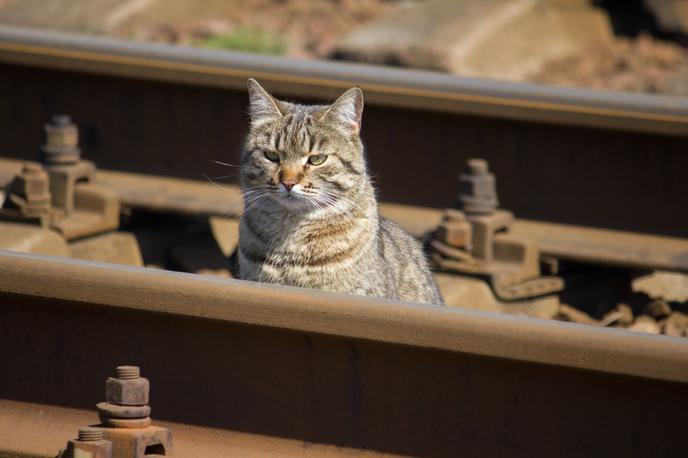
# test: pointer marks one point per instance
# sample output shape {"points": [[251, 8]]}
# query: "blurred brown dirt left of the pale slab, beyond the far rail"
{"points": [[302, 28]]}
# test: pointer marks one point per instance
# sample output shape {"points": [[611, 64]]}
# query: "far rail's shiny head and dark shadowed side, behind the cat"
{"points": [[562, 155]]}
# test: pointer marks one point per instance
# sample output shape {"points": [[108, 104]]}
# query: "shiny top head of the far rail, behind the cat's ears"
{"points": [[321, 79]]}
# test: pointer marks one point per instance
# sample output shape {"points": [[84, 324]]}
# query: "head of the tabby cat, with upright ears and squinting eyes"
{"points": [[304, 157]]}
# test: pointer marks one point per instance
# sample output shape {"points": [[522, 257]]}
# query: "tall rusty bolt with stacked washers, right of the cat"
{"points": [[478, 191]]}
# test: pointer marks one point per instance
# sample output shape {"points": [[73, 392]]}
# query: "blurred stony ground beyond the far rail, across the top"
{"points": [[621, 45]]}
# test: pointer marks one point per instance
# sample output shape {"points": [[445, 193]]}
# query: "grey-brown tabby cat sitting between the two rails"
{"points": [[310, 214]]}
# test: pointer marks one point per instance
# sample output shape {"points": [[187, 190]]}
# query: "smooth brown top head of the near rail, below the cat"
{"points": [[356, 317]]}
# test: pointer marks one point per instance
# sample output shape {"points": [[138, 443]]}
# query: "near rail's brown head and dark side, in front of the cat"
{"points": [[344, 370]]}
